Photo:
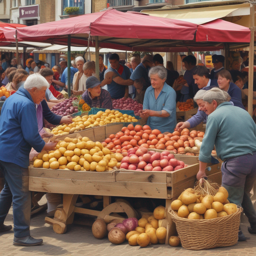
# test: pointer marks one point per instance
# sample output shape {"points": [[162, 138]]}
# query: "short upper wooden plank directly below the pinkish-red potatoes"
{"points": [[133, 176]]}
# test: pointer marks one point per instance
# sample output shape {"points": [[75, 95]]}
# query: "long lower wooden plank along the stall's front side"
{"points": [[80, 187]]}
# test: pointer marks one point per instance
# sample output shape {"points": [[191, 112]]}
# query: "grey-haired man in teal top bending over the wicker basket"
{"points": [[236, 147]]}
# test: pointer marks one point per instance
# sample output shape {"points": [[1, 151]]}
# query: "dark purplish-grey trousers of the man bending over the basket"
{"points": [[238, 177]]}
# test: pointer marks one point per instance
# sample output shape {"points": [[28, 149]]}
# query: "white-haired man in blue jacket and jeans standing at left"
{"points": [[18, 134]]}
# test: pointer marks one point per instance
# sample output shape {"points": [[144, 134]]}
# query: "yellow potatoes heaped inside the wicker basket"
{"points": [[193, 206]]}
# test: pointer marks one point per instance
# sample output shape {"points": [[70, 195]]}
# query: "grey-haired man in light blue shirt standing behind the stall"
{"points": [[159, 106]]}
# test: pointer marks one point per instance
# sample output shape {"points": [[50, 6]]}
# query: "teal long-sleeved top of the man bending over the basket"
{"points": [[233, 132]]}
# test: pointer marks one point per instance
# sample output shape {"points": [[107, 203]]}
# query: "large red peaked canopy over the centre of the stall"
{"points": [[112, 27]]}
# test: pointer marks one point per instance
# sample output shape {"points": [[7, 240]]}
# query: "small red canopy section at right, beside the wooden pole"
{"points": [[222, 31]]}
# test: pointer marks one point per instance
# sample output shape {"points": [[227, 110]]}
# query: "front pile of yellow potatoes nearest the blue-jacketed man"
{"points": [[79, 154]]}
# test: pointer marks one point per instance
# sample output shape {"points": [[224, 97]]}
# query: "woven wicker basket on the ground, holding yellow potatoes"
{"points": [[207, 234]]}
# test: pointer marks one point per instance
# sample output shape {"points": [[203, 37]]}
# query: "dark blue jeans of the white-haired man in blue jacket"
{"points": [[15, 191]]}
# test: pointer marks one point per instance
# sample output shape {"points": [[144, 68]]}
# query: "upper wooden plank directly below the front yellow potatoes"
{"points": [[66, 174]]}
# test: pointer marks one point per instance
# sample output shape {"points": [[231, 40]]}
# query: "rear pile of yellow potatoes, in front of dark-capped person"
{"points": [[101, 118]]}
